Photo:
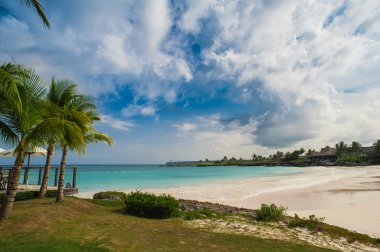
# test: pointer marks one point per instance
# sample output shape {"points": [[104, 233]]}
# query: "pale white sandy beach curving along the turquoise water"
{"points": [[346, 196]]}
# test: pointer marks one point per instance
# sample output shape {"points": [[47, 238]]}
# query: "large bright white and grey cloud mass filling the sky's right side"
{"points": [[307, 57]]}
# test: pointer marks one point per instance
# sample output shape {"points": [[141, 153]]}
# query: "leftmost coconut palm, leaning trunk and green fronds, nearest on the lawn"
{"points": [[22, 96]]}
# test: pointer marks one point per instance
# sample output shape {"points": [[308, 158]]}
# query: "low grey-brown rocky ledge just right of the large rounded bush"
{"points": [[193, 205]]}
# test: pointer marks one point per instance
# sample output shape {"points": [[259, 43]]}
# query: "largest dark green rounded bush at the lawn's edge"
{"points": [[150, 205]]}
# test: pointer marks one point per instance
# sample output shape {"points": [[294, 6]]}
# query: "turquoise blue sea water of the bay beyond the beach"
{"points": [[91, 178]]}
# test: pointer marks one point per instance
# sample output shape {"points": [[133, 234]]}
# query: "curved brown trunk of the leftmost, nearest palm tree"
{"points": [[13, 181]]}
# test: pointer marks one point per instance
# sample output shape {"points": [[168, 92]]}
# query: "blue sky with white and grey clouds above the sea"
{"points": [[189, 80]]}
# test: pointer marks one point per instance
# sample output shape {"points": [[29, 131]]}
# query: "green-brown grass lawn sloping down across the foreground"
{"points": [[82, 225]]}
